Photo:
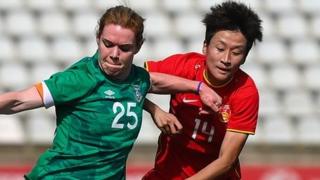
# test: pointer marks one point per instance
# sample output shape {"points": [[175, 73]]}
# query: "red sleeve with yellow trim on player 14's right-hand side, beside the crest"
{"points": [[245, 108]]}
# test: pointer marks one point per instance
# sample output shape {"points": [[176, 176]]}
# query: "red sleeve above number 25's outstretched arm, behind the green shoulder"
{"points": [[179, 65]]}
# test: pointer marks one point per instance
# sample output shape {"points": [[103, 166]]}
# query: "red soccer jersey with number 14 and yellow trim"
{"points": [[180, 156]]}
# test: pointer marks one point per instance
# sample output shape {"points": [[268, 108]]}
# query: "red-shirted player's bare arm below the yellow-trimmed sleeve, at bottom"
{"points": [[231, 147]]}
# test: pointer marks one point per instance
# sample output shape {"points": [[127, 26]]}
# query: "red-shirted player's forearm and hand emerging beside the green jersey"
{"points": [[165, 121]]}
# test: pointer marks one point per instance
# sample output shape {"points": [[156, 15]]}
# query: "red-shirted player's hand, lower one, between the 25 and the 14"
{"points": [[166, 122]]}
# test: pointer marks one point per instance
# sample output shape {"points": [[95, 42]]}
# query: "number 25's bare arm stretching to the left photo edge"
{"points": [[14, 102]]}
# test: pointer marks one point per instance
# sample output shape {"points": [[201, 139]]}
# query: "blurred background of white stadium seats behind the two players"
{"points": [[40, 37]]}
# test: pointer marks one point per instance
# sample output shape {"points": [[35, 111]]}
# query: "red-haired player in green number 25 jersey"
{"points": [[99, 102]]}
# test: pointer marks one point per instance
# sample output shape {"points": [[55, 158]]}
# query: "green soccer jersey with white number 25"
{"points": [[98, 120]]}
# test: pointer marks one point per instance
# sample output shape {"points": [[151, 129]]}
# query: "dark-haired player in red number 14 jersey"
{"points": [[209, 145]]}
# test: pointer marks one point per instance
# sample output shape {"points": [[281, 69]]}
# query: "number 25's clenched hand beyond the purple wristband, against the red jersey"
{"points": [[210, 98]]}
